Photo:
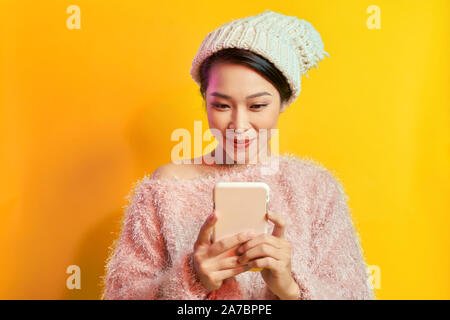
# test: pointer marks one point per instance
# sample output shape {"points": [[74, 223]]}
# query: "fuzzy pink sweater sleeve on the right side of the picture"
{"points": [[336, 268]]}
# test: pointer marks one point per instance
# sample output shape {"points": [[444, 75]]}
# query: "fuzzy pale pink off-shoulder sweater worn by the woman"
{"points": [[152, 257]]}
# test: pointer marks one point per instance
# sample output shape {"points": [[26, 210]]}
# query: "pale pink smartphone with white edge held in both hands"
{"points": [[240, 207]]}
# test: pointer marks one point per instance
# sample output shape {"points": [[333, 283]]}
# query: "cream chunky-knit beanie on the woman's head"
{"points": [[291, 44]]}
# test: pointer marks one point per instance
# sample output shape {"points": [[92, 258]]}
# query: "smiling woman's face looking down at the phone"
{"points": [[242, 106]]}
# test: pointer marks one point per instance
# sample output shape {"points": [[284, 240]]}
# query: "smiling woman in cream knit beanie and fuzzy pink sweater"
{"points": [[249, 72]]}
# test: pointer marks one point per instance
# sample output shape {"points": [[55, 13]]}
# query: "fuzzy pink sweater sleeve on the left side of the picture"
{"points": [[138, 267]]}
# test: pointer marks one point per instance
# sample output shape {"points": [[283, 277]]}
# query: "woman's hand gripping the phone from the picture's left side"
{"points": [[211, 269]]}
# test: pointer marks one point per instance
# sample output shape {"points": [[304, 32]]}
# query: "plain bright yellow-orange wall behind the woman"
{"points": [[86, 113]]}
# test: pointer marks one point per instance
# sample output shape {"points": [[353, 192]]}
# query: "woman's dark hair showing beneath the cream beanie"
{"points": [[246, 58]]}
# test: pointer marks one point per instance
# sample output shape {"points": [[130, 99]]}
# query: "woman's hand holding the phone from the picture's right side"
{"points": [[273, 253]]}
